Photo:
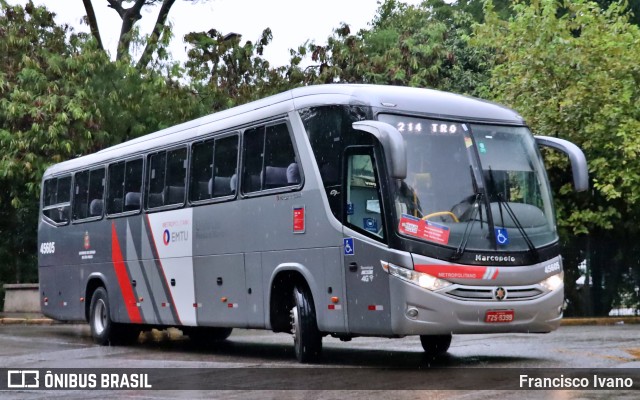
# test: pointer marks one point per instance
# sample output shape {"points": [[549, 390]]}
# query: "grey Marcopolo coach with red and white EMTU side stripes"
{"points": [[331, 210]]}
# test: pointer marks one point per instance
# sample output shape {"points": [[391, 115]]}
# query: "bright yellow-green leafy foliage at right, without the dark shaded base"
{"points": [[576, 76]]}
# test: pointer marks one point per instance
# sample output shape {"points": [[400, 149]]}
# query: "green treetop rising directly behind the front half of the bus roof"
{"points": [[424, 46]]}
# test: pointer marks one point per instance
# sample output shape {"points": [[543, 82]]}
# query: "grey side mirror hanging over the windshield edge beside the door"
{"points": [[392, 144]]}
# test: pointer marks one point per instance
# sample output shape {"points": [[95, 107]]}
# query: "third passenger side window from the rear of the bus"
{"points": [[125, 183]]}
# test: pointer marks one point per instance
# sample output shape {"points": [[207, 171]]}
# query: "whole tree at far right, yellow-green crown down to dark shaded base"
{"points": [[572, 70]]}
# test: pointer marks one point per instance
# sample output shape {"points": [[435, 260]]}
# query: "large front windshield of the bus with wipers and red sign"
{"points": [[472, 187]]}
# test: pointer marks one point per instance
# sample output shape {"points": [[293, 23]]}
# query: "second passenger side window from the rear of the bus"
{"points": [[87, 194]]}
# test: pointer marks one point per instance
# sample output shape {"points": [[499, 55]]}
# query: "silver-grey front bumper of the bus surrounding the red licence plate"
{"points": [[418, 311]]}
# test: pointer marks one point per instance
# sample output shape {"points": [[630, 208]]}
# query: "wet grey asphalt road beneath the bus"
{"points": [[265, 362]]}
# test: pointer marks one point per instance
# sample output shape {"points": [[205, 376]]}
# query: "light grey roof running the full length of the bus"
{"points": [[428, 102]]}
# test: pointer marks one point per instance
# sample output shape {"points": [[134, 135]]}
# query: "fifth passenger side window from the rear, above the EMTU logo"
{"points": [[214, 168]]}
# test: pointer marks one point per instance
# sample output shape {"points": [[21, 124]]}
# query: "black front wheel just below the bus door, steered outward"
{"points": [[307, 339]]}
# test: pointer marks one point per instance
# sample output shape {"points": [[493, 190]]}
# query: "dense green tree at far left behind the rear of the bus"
{"points": [[61, 97]]}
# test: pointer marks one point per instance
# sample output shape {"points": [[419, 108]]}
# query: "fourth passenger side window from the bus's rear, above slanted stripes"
{"points": [[166, 178]]}
